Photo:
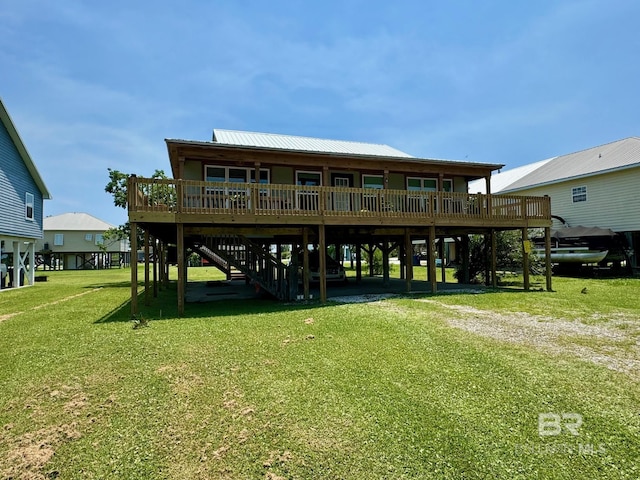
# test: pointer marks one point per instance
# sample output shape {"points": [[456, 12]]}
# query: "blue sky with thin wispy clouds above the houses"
{"points": [[96, 85]]}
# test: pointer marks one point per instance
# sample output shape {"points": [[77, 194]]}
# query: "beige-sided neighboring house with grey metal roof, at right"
{"points": [[596, 187]]}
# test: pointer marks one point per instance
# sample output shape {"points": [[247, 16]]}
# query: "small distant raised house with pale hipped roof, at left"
{"points": [[75, 241]]}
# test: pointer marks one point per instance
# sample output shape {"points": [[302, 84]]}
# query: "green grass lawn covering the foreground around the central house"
{"points": [[266, 390]]}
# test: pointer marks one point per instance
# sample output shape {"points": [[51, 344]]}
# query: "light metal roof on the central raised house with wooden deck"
{"points": [[304, 144]]}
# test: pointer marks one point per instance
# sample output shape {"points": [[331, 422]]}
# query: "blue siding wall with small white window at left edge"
{"points": [[15, 182]]}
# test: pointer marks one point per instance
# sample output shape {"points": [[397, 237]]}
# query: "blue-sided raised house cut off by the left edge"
{"points": [[22, 192]]}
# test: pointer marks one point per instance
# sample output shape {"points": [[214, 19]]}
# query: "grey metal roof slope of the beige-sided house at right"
{"points": [[604, 158]]}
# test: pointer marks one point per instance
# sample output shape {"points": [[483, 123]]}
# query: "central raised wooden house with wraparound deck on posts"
{"points": [[238, 197]]}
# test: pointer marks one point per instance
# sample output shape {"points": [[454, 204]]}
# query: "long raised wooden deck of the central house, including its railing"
{"points": [[193, 202]]}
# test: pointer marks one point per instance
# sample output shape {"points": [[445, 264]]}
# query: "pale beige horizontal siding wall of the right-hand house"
{"points": [[613, 200]]}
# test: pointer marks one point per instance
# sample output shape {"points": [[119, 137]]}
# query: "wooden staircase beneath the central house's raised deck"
{"points": [[236, 252]]}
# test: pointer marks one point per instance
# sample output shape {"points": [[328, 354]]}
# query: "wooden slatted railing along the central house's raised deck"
{"points": [[197, 197]]}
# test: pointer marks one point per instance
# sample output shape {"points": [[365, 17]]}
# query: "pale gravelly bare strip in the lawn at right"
{"points": [[614, 343]]}
